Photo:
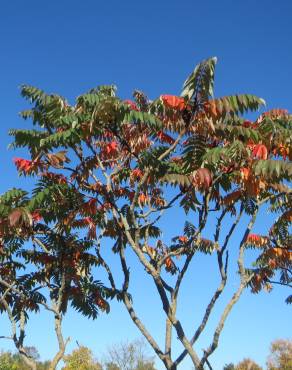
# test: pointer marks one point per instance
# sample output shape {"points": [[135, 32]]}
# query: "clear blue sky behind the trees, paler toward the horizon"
{"points": [[70, 46]]}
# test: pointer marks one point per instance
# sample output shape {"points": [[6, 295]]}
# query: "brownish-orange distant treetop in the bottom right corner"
{"points": [[280, 355]]}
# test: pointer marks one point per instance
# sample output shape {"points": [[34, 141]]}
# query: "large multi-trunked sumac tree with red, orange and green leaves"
{"points": [[107, 168]]}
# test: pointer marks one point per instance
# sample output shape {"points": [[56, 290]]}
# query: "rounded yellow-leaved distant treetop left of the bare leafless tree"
{"points": [[81, 359]]}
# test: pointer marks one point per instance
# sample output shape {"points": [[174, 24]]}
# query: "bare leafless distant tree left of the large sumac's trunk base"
{"points": [[129, 356]]}
